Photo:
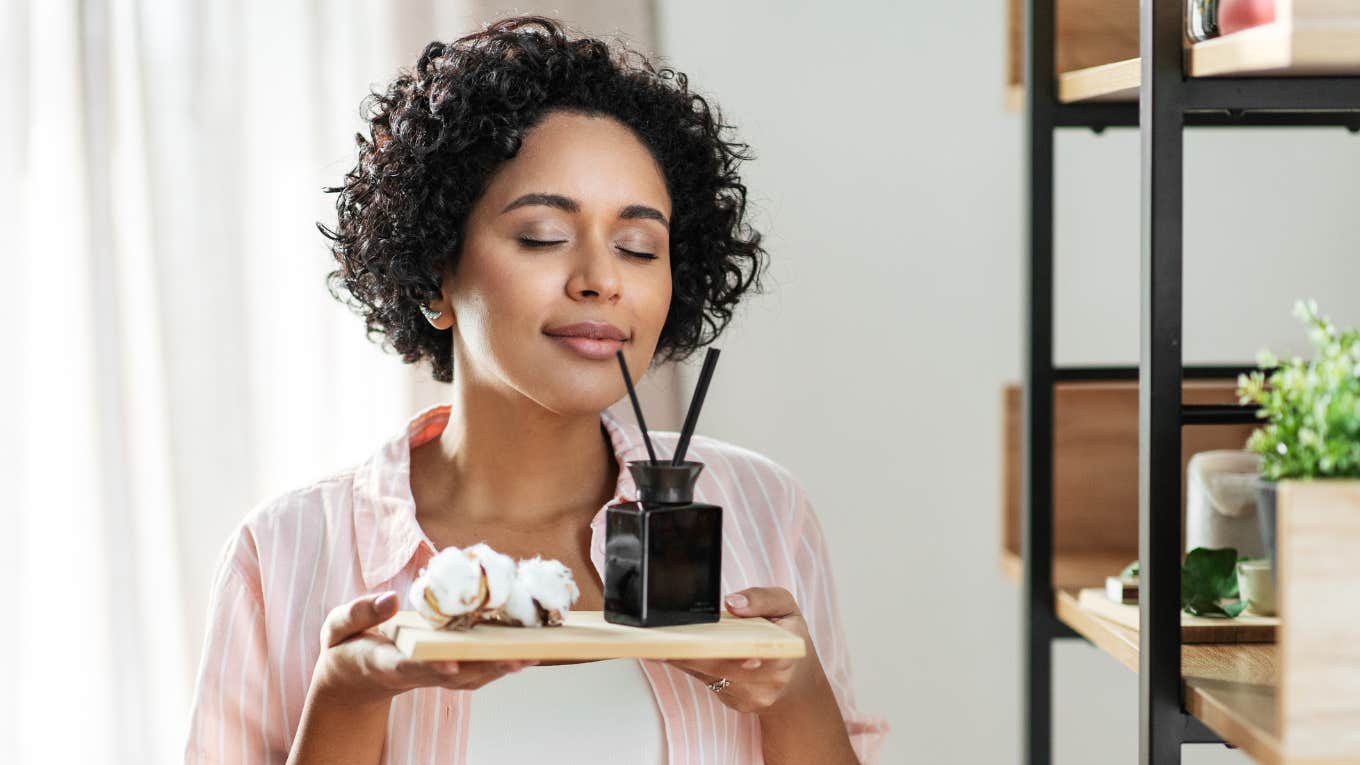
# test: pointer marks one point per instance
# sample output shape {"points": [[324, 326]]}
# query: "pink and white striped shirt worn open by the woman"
{"points": [[308, 551]]}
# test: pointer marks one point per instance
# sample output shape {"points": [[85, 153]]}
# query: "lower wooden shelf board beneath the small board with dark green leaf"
{"points": [[1231, 688]]}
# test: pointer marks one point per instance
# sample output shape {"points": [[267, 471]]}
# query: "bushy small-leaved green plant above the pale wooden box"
{"points": [[1312, 408]]}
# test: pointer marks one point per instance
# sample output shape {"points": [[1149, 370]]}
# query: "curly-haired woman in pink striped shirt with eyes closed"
{"points": [[524, 206]]}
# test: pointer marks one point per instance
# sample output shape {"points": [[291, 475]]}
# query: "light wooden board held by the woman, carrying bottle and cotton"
{"points": [[587, 636]]}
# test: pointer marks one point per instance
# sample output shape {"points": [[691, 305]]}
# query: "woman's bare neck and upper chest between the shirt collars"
{"points": [[505, 459]]}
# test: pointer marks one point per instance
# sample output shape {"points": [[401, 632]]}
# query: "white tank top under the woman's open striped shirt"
{"points": [[599, 713]]}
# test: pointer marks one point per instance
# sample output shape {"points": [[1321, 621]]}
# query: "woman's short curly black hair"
{"points": [[441, 131]]}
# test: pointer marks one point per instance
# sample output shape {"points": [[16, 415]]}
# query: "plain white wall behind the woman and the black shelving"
{"points": [[890, 183]]}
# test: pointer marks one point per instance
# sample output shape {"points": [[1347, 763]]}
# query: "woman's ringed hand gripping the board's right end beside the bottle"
{"points": [[760, 685]]}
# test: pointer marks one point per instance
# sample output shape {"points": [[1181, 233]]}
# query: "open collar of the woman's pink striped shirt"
{"points": [[387, 533]]}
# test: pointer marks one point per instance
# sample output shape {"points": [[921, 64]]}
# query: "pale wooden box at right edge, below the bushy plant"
{"points": [[1319, 581]]}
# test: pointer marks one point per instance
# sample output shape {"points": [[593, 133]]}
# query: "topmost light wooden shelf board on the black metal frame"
{"points": [[1272, 50]]}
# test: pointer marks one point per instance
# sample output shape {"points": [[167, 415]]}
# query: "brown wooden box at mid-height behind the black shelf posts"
{"points": [[1095, 492]]}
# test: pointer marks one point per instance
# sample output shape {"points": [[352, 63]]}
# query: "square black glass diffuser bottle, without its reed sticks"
{"points": [[663, 555]]}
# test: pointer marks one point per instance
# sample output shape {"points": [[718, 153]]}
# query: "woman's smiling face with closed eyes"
{"points": [[595, 198]]}
